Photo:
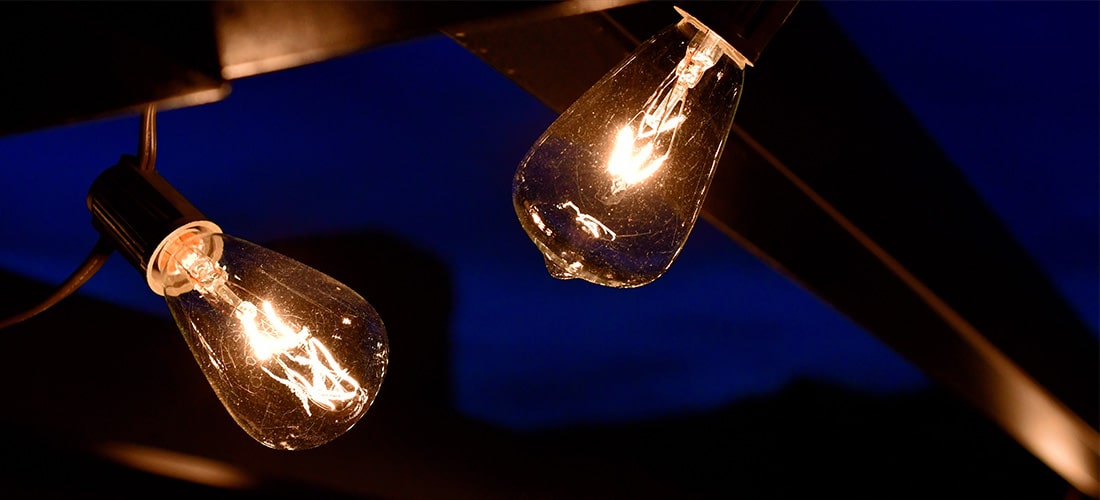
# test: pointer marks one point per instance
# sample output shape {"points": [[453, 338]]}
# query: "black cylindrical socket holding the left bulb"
{"points": [[141, 213]]}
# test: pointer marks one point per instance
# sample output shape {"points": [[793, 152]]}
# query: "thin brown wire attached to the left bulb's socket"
{"points": [[100, 254]]}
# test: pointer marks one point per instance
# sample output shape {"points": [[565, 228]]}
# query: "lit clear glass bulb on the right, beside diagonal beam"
{"points": [[612, 190]]}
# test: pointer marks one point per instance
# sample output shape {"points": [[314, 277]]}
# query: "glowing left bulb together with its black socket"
{"points": [[295, 357]]}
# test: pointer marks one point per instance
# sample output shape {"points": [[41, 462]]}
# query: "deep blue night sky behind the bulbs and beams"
{"points": [[421, 139]]}
